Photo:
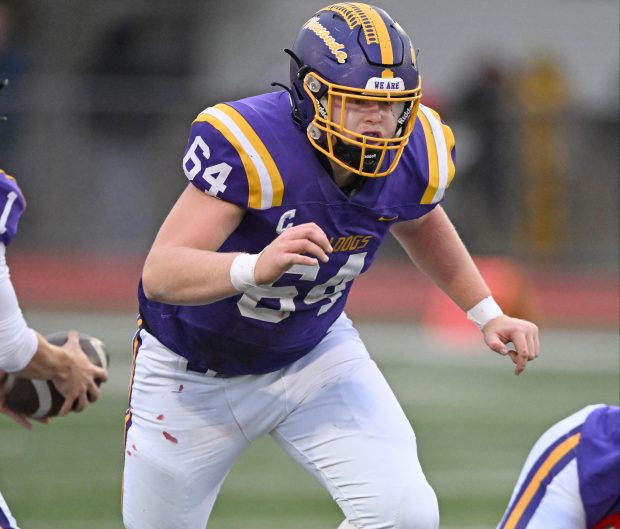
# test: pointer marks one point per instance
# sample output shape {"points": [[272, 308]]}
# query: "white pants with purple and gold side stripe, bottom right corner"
{"points": [[543, 475]]}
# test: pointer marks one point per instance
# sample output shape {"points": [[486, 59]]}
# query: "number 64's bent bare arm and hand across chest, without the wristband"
{"points": [[184, 267]]}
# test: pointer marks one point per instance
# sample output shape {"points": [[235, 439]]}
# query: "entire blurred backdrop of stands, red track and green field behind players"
{"points": [[99, 105]]}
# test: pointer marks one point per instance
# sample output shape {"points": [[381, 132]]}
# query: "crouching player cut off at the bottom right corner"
{"points": [[571, 478]]}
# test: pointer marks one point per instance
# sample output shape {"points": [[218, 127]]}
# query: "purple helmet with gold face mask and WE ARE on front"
{"points": [[354, 54]]}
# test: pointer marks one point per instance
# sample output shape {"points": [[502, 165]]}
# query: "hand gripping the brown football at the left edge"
{"points": [[76, 378]]}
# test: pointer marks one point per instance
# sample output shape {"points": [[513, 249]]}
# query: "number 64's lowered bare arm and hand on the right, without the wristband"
{"points": [[435, 247]]}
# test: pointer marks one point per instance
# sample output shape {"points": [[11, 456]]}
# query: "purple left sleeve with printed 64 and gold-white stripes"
{"points": [[227, 159]]}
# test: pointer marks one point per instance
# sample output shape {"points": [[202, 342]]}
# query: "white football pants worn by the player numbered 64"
{"points": [[331, 411]]}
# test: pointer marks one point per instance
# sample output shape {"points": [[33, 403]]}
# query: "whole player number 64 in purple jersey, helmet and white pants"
{"points": [[242, 330]]}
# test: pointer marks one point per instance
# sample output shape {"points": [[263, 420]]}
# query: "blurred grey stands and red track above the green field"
{"points": [[102, 96]]}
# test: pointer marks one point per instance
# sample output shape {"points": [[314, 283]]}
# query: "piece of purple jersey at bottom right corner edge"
{"points": [[598, 464]]}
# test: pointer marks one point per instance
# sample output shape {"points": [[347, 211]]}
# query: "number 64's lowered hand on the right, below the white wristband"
{"points": [[523, 335]]}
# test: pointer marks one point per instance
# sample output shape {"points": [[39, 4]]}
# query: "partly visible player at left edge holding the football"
{"points": [[24, 351]]}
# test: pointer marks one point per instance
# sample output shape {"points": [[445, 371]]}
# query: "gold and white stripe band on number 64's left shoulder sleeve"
{"points": [[265, 184]]}
